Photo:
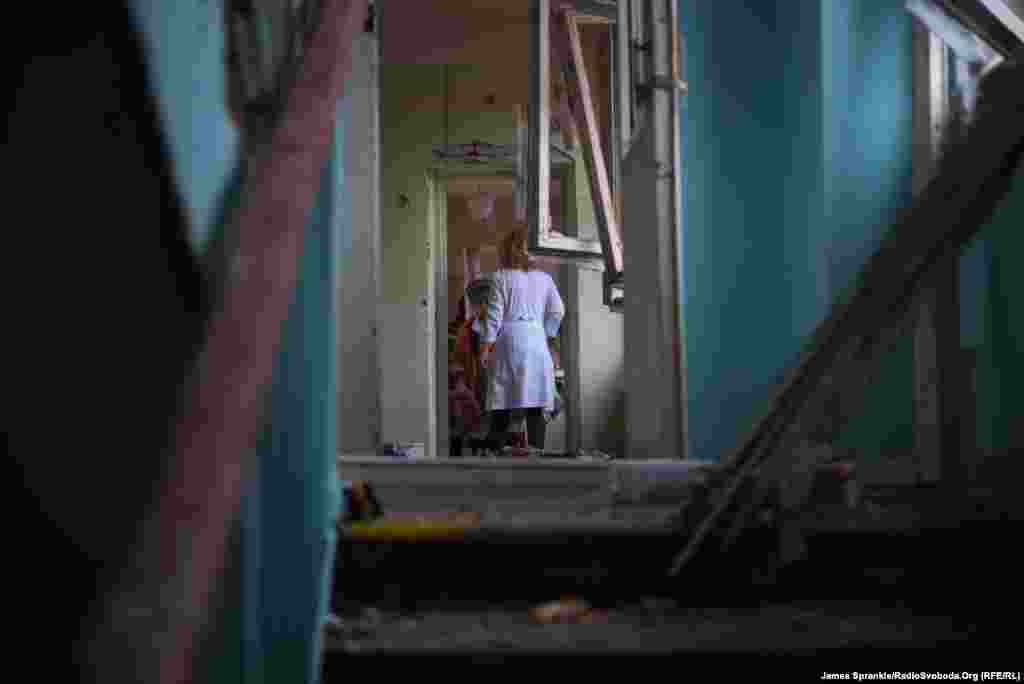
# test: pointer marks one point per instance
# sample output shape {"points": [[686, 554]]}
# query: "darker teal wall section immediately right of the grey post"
{"points": [[738, 306]]}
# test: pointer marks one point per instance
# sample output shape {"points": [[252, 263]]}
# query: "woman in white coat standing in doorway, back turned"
{"points": [[524, 312]]}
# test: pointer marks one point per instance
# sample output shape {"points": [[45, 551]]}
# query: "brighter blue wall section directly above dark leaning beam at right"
{"points": [[869, 129]]}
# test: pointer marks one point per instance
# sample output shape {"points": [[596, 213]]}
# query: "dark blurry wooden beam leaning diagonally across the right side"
{"points": [[972, 181]]}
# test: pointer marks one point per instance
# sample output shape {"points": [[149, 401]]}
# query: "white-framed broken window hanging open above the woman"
{"points": [[574, 127]]}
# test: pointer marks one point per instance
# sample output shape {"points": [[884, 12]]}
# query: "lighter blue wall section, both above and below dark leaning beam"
{"points": [[868, 59]]}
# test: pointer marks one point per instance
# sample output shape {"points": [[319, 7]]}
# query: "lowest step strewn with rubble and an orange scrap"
{"points": [[651, 626]]}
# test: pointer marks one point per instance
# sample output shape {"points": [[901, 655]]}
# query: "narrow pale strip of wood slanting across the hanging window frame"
{"points": [[566, 40]]}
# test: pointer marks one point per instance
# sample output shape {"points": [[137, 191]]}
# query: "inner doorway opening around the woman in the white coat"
{"points": [[480, 211]]}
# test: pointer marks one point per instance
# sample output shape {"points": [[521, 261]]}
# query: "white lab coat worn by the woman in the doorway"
{"points": [[524, 311]]}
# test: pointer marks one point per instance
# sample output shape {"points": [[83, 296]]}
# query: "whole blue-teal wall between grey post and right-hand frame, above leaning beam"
{"points": [[796, 154]]}
